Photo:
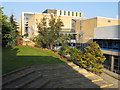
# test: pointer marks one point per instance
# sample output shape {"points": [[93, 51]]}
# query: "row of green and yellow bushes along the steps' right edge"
{"points": [[91, 58]]}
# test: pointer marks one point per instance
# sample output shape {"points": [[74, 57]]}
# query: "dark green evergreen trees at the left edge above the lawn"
{"points": [[9, 30]]}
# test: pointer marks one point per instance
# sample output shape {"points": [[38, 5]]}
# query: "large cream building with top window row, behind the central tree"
{"points": [[28, 26]]}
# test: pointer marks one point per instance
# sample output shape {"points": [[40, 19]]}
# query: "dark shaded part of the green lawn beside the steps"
{"points": [[10, 60]]}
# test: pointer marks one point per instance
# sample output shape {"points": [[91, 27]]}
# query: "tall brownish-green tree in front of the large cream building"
{"points": [[48, 36]]}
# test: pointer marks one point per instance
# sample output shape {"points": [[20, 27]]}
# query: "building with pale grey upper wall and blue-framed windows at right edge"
{"points": [[108, 38]]}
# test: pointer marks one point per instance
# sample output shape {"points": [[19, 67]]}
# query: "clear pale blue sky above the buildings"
{"points": [[90, 9]]}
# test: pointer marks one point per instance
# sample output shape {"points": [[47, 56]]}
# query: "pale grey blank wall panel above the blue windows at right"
{"points": [[107, 32]]}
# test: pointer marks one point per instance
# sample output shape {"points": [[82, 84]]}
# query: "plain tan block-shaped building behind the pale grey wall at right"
{"points": [[86, 28]]}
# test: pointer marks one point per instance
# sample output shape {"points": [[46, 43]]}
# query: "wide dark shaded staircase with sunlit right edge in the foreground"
{"points": [[53, 76]]}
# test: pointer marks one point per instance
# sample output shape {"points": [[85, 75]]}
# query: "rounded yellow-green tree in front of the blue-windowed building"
{"points": [[93, 58]]}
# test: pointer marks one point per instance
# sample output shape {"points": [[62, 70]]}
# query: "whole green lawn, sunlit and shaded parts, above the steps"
{"points": [[22, 56]]}
